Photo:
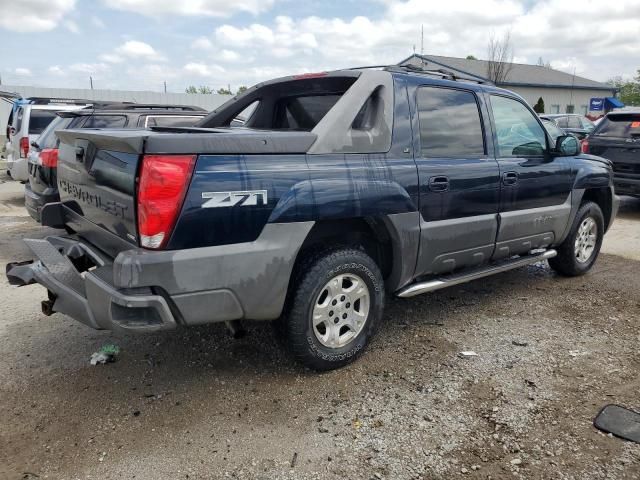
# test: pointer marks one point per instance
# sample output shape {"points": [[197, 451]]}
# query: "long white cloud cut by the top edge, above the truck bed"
{"points": [[209, 8]]}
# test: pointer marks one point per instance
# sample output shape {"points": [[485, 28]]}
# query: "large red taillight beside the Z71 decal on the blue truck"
{"points": [[164, 180]]}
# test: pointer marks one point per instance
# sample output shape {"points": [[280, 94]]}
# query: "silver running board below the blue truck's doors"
{"points": [[455, 279]]}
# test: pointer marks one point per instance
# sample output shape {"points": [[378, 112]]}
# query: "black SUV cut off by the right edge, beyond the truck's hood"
{"points": [[617, 138]]}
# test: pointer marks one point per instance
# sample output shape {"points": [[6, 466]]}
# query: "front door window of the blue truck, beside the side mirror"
{"points": [[519, 132]]}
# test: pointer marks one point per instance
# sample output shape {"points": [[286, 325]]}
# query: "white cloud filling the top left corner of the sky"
{"points": [[33, 15]]}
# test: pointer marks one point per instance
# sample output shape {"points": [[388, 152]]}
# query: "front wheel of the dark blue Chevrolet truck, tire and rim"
{"points": [[579, 251]]}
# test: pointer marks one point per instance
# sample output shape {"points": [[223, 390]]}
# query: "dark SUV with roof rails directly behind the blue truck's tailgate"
{"points": [[42, 187]]}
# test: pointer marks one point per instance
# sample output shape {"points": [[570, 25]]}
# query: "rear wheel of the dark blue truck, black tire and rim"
{"points": [[345, 283]]}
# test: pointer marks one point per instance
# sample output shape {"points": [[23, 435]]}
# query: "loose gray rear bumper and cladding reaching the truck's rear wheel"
{"points": [[142, 290]]}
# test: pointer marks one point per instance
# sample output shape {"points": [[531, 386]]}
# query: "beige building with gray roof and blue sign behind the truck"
{"points": [[562, 92]]}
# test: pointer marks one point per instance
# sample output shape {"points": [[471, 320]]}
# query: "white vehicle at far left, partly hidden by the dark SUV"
{"points": [[28, 122]]}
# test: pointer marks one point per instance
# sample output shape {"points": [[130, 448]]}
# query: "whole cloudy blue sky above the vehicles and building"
{"points": [[140, 44]]}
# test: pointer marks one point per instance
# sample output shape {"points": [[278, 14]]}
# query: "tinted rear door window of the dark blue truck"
{"points": [[450, 124]]}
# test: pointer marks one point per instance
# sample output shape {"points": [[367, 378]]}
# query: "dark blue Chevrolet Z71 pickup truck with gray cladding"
{"points": [[339, 188]]}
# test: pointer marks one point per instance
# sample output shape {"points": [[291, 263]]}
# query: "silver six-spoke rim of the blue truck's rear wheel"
{"points": [[341, 310]]}
